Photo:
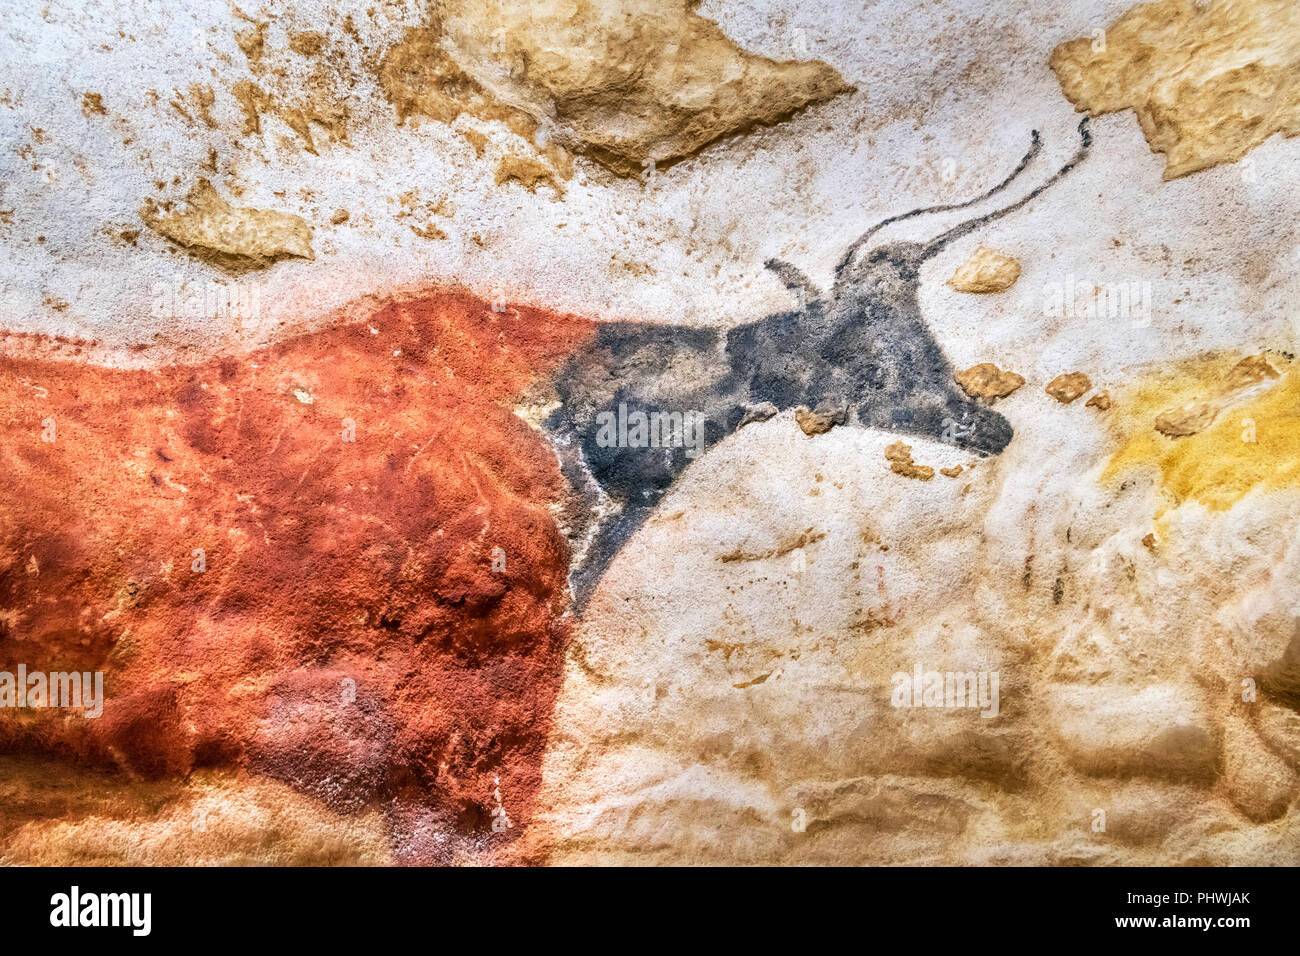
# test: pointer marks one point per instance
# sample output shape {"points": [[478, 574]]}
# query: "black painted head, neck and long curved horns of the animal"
{"points": [[645, 400]]}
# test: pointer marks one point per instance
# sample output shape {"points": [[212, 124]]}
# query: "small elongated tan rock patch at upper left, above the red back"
{"points": [[233, 239]]}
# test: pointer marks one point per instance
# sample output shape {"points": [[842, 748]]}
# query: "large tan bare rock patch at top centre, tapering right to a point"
{"points": [[630, 81]]}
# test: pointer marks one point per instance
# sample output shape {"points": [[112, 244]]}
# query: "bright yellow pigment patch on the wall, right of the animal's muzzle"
{"points": [[1220, 465]]}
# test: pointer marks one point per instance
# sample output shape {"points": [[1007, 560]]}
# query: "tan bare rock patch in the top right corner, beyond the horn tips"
{"points": [[1208, 83]]}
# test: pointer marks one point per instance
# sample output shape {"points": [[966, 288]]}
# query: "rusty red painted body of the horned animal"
{"points": [[327, 563]]}
